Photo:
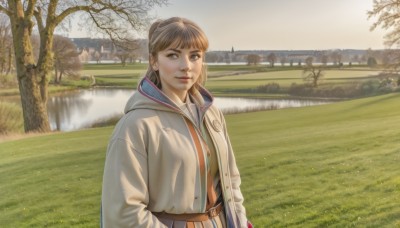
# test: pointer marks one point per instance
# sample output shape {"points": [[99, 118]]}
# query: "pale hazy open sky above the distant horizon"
{"points": [[279, 24]]}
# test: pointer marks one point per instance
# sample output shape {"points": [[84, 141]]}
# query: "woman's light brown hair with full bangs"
{"points": [[179, 32]]}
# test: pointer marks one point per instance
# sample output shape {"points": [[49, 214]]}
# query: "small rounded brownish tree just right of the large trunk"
{"points": [[66, 60]]}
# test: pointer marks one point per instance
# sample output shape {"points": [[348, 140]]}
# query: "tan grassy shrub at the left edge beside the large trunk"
{"points": [[10, 118]]}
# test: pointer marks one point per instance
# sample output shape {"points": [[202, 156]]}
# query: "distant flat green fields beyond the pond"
{"points": [[231, 80]]}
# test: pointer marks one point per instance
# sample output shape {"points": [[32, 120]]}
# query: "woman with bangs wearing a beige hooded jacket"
{"points": [[169, 161]]}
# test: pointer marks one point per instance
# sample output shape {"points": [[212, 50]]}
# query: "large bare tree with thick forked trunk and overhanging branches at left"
{"points": [[117, 18]]}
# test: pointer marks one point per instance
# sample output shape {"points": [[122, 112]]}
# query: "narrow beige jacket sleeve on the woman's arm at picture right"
{"points": [[235, 180]]}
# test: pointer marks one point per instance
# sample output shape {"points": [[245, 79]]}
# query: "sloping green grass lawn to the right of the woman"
{"points": [[332, 165]]}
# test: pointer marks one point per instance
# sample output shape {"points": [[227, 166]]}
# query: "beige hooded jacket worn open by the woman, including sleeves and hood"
{"points": [[152, 164]]}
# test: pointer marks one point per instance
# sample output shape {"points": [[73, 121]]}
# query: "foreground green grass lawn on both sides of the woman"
{"points": [[334, 165]]}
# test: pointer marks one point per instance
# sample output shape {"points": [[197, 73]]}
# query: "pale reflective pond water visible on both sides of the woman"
{"points": [[76, 110]]}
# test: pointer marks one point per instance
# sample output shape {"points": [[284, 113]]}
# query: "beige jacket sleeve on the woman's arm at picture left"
{"points": [[125, 194]]}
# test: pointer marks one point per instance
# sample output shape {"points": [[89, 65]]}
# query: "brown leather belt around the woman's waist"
{"points": [[195, 217]]}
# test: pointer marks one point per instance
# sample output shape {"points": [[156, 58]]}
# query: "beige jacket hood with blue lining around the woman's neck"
{"points": [[149, 96]]}
